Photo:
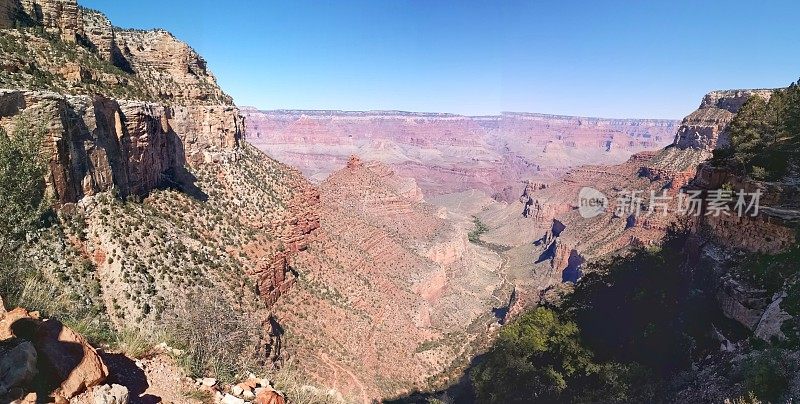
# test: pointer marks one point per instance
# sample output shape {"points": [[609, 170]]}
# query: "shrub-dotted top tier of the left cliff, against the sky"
{"points": [[97, 57]]}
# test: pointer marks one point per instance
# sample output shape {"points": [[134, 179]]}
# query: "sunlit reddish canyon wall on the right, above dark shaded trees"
{"points": [[548, 211]]}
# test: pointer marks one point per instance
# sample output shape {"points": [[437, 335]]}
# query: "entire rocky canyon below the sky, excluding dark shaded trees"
{"points": [[369, 254]]}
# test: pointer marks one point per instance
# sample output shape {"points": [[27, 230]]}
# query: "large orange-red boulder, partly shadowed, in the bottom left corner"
{"points": [[71, 361]]}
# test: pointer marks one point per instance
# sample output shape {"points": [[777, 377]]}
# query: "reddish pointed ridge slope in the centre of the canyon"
{"points": [[392, 295]]}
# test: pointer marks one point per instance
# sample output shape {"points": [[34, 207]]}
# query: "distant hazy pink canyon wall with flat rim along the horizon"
{"points": [[451, 153]]}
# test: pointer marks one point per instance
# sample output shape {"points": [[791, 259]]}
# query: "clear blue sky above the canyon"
{"points": [[647, 59]]}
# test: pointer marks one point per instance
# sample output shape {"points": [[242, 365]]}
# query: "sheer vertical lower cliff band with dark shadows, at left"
{"points": [[96, 143]]}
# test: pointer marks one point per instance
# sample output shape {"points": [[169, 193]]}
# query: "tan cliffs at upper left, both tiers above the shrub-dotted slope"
{"points": [[161, 110]]}
